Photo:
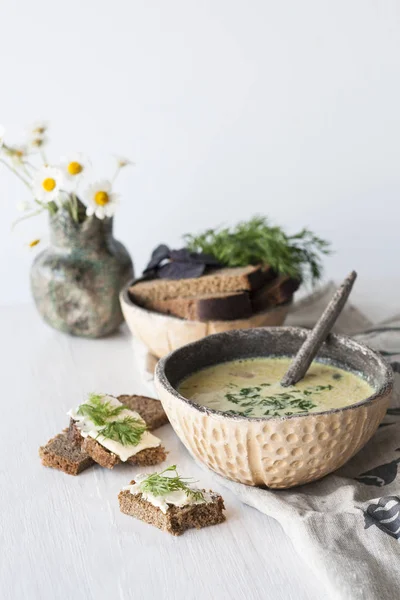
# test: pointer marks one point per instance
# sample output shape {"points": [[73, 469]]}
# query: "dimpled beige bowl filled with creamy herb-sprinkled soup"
{"points": [[223, 397]]}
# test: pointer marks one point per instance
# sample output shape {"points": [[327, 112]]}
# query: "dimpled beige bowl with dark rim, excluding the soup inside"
{"points": [[278, 452]]}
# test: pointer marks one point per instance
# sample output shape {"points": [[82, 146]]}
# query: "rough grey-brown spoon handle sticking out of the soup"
{"points": [[299, 366]]}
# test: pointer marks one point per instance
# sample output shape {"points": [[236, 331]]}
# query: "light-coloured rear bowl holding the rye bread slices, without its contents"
{"points": [[164, 333]]}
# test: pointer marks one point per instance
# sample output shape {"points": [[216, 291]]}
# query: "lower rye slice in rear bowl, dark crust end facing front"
{"points": [[225, 306]]}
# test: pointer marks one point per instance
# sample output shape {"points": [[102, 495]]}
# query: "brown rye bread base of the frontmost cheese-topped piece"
{"points": [[177, 519]]}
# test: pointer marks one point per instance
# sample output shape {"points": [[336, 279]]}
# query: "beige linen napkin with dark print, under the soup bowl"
{"points": [[347, 525]]}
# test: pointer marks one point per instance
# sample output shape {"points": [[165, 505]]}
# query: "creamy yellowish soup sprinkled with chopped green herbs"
{"points": [[251, 387]]}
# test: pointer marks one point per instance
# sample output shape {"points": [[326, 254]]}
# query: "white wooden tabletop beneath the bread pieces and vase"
{"points": [[63, 537]]}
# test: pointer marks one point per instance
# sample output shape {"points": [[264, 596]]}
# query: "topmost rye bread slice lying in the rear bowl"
{"points": [[236, 279]]}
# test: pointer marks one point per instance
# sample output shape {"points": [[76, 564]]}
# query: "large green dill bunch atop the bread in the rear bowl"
{"points": [[257, 242]]}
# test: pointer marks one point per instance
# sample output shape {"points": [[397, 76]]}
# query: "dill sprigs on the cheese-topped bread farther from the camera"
{"points": [[126, 431]]}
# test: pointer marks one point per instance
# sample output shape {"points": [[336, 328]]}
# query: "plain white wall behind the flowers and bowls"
{"points": [[229, 108]]}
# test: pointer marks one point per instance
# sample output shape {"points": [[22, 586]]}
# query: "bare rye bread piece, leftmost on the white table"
{"points": [[63, 454]]}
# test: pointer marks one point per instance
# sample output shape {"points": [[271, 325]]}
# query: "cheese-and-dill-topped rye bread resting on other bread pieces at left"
{"points": [[118, 436]]}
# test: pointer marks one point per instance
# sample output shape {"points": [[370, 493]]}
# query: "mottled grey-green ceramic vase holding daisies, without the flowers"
{"points": [[76, 281]]}
